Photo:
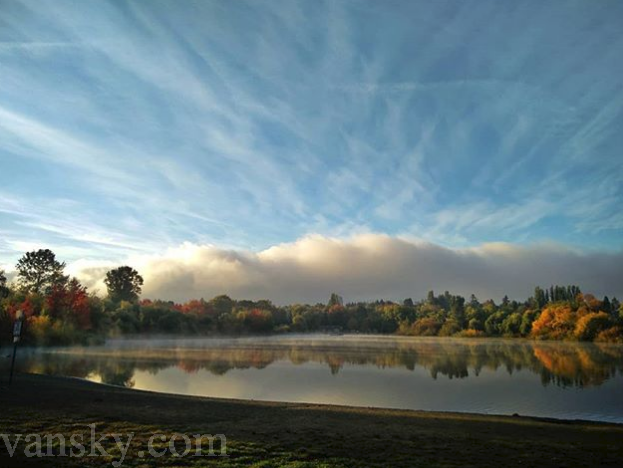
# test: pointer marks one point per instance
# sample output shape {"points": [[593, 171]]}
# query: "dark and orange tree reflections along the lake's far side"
{"points": [[562, 364]]}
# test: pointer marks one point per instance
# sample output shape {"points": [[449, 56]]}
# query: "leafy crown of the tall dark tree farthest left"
{"points": [[38, 271]]}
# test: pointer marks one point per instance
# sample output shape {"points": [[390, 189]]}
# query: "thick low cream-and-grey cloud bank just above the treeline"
{"points": [[365, 267]]}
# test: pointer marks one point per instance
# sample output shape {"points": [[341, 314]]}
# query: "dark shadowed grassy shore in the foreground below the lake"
{"points": [[293, 435]]}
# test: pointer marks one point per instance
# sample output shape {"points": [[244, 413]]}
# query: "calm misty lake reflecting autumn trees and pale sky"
{"points": [[491, 376]]}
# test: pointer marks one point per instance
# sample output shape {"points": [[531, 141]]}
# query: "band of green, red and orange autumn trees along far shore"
{"points": [[58, 310]]}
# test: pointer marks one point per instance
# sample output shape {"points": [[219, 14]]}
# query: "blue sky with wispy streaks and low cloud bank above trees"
{"points": [[285, 149]]}
